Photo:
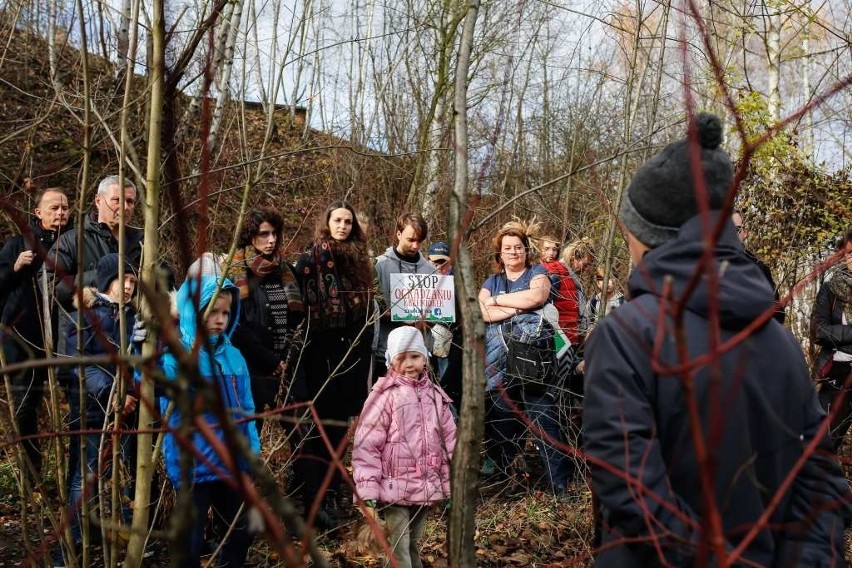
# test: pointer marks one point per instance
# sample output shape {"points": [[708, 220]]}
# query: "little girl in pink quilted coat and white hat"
{"points": [[403, 445]]}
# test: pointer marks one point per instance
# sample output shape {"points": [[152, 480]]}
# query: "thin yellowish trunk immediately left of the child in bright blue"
{"points": [[144, 461]]}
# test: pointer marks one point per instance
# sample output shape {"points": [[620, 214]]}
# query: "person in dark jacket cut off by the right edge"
{"points": [[831, 327]]}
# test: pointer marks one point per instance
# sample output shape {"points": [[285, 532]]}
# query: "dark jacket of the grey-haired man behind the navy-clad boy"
{"points": [[97, 241]]}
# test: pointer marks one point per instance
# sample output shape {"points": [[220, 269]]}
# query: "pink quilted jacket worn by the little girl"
{"points": [[404, 442]]}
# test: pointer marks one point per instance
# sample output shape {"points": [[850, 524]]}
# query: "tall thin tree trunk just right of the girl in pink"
{"points": [[465, 469]]}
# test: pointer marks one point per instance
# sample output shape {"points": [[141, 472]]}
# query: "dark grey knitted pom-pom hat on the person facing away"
{"points": [[663, 194]]}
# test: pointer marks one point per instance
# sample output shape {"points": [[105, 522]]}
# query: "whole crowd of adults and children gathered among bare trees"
{"points": [[690, 407]]}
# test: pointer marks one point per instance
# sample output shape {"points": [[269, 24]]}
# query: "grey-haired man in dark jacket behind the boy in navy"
{"points": [[100, 237]]}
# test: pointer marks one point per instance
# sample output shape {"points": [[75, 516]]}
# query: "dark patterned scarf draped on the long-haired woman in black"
{"points": [[333, 285]]}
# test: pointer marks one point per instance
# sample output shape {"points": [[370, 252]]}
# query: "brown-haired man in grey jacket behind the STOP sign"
{"points": [[402, 259]]}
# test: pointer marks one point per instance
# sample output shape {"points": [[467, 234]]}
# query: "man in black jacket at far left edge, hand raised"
{"points": [[22, 313]]}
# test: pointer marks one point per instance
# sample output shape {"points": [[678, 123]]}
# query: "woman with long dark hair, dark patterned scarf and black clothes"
{"points": [[336, 277]]}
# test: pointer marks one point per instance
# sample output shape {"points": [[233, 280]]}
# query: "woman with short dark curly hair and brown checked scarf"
{"points": [[271, 307]]}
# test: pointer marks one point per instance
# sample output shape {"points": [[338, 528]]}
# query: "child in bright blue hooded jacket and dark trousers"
{"points": [[206, 330]]}
